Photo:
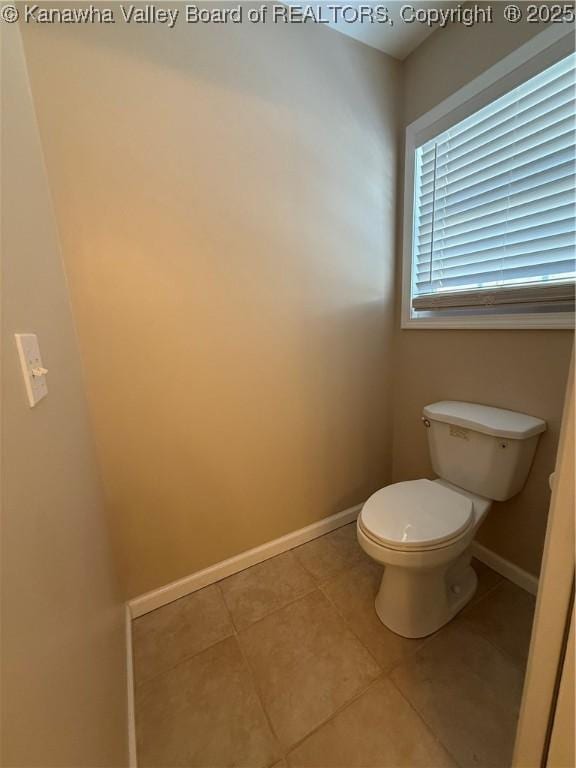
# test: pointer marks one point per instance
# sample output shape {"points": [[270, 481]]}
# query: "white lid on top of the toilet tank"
{"points": [[483, 418]]}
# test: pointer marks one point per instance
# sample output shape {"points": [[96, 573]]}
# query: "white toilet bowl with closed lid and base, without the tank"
{"points": [[421, 532]]}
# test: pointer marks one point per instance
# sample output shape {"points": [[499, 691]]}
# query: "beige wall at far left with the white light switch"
{"points": [[63, 676]]}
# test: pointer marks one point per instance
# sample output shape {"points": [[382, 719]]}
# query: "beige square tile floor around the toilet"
{"points": [[287, 665]]}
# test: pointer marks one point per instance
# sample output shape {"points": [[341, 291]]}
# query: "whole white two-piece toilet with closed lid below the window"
{"points": [[422, 530]]}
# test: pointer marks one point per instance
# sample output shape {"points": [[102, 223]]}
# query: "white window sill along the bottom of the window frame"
{"points": [[552, 321]]}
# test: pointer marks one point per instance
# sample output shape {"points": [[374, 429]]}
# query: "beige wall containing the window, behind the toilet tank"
{"points": [[520, 370]]}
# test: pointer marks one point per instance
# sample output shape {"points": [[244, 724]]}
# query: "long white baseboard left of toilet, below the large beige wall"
{"points": [[138, 606]]}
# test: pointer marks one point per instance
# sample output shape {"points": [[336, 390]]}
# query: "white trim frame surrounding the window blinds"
{"points": [[543, 50]]}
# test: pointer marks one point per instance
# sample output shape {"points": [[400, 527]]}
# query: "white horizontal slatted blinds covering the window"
{"points": [[494, 205]]}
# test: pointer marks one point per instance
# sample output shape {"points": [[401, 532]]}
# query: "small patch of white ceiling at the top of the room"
{"points": [[397, 39]]}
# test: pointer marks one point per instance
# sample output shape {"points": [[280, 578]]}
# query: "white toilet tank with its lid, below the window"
{"points": [[485, 450]]}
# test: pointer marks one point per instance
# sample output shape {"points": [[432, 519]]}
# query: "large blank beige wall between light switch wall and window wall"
{"points": [[226, 198]]}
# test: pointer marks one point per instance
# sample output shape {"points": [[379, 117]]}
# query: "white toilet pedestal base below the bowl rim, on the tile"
{"points": [[416, 602]]}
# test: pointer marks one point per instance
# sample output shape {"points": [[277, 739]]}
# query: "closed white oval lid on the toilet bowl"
{"points": [[419, 514]]}
